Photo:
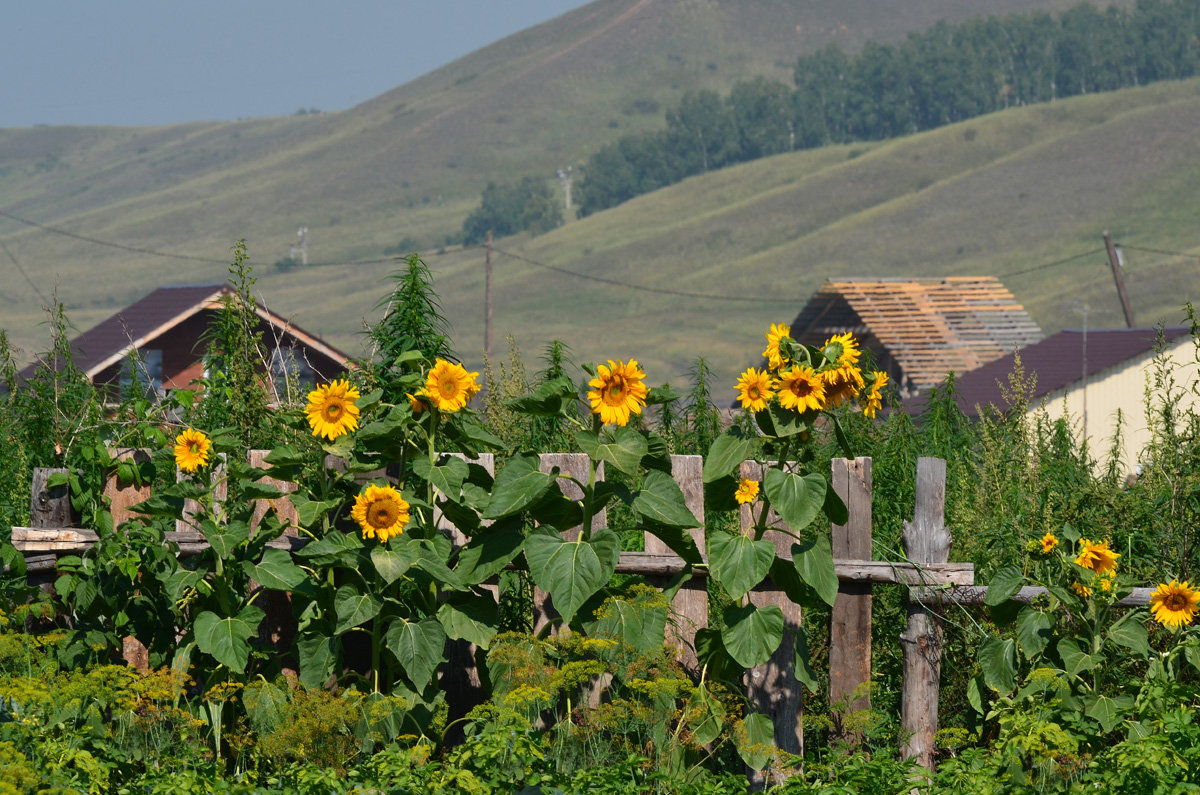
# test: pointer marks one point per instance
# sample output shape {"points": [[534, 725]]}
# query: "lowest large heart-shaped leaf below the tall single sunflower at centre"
{"points": [[572, 571]]}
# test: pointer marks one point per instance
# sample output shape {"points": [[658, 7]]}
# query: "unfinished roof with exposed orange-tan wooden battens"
{"points": [[921, 330]]}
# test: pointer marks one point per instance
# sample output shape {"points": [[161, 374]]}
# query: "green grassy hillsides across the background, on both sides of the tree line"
{"points": [[995, 195]]}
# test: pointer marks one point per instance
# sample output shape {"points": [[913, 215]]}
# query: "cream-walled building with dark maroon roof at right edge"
{"points": [[1088, 378]]}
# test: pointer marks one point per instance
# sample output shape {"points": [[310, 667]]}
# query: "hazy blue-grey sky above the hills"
{"points": [[158, 62]]}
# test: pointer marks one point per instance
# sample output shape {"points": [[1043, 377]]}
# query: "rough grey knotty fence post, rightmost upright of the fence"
{"points": [[927, 541]]}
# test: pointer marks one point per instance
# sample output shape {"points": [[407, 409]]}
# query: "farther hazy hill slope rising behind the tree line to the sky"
{"points": [[407, 164]]}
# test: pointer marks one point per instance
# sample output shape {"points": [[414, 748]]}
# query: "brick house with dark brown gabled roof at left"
{"points": [[167, 330]]}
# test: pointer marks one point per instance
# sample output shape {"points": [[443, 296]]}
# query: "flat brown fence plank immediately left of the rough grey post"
{"points": [[850, 632]]}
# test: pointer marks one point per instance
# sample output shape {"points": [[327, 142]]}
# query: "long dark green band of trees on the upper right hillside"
{"points": [[945, 75]]}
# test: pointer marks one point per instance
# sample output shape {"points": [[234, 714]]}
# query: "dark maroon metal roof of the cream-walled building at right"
{"points": [[1058, 362]]}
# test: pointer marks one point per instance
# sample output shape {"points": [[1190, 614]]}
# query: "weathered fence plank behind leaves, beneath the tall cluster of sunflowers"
{"points": [[772, 688]]}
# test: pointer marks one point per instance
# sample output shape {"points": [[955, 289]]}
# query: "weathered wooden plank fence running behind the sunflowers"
{"points": [[772, 688]]}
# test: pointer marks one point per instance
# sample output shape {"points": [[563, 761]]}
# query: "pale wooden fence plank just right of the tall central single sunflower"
{"points": [[691, 606]]}
